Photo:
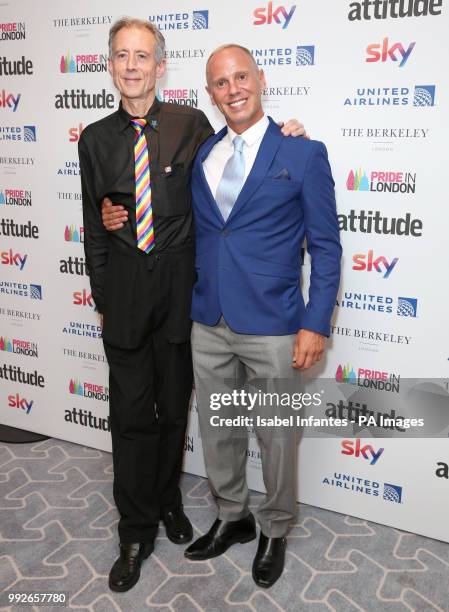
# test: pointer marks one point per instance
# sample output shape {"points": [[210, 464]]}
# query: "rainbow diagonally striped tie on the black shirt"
{"points": [[144, 210]]}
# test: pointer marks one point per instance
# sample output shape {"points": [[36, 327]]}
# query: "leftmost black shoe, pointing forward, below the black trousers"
{"points": [[126, 570]]}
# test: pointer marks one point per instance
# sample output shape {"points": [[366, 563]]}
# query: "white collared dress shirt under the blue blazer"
{"points": [[220, 153]]}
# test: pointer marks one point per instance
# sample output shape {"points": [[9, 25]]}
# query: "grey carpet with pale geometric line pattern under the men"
{"points": [[57, 533]]}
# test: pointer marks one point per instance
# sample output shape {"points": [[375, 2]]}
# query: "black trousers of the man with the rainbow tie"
{"points": [[149, 393]]}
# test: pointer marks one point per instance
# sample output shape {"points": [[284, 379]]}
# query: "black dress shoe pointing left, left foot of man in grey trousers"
{"points": [[220, 537]]}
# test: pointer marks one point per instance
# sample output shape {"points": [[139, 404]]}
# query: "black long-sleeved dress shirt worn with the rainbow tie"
{"points": [[106, 152]]}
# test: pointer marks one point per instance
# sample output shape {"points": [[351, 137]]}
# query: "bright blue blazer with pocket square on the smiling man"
{"points": [[249, 267]]}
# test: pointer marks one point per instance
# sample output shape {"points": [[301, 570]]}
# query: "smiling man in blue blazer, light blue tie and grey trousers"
{"points": [[256, 196]]}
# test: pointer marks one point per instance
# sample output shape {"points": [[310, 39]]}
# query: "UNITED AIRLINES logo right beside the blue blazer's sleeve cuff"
{"points": [[383, 304]]}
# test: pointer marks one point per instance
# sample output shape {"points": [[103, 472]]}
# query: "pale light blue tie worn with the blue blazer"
{"points": [[232, 179]]}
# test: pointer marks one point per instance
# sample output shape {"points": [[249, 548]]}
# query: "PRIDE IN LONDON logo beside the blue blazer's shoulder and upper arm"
{"points": [[380, 180]]}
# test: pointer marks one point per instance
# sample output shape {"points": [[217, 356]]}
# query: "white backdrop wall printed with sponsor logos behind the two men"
{"points": [[370, 85]]}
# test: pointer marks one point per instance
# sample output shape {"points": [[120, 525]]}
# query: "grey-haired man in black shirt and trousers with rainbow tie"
{"points": [[144, 297]]}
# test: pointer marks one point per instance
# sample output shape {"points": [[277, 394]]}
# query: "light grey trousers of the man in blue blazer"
{"points": [[224, 360]]}
